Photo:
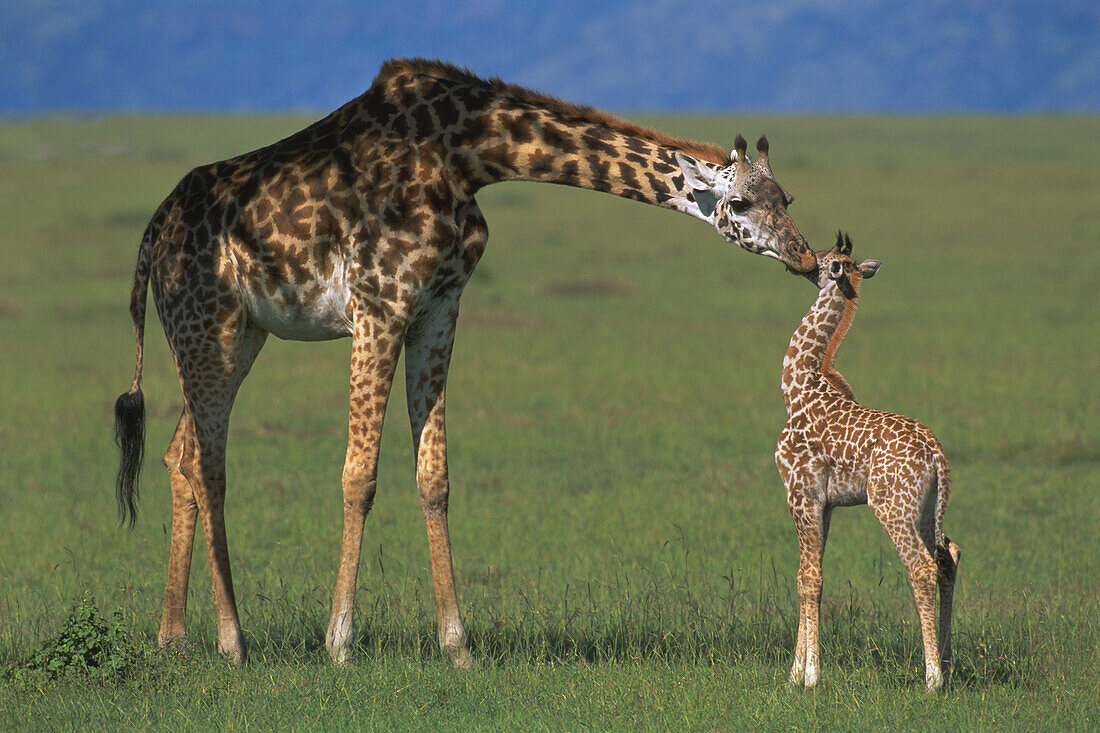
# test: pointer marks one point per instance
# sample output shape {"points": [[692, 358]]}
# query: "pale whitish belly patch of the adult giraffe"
{"points": [[303, 314]]}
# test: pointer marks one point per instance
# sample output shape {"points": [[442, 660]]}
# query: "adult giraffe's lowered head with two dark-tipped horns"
{"points": [[747, 206]]}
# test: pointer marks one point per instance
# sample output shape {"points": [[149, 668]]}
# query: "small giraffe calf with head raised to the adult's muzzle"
{"points": [[837, 453]]}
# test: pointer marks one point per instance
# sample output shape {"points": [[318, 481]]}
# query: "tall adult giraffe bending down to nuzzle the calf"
{"points": [[365, 225]]}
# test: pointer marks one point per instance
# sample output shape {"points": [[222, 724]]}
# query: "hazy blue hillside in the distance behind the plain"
{"points": [[653, 56]]}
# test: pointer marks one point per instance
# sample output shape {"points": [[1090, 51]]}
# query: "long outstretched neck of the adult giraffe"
{"points": [[492, 133]]}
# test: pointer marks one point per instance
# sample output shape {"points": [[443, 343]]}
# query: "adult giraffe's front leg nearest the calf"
{"points": [[427, 359]]}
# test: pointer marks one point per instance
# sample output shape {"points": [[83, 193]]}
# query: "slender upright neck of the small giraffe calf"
{"points": [[813, 347]]}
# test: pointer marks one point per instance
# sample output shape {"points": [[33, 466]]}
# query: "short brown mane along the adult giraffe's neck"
{"points": [[702, 151]]}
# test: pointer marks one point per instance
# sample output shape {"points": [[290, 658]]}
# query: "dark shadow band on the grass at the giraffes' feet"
{"points": [[857, 640]]}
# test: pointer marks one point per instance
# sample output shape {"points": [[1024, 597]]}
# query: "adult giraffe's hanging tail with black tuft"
{"points": [[130, 407]]}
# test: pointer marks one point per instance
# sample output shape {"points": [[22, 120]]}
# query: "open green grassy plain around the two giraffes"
{"points": [[622, 542]]}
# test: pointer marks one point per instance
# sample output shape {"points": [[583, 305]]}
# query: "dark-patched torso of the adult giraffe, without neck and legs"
{"points": [[288, 232]]}
